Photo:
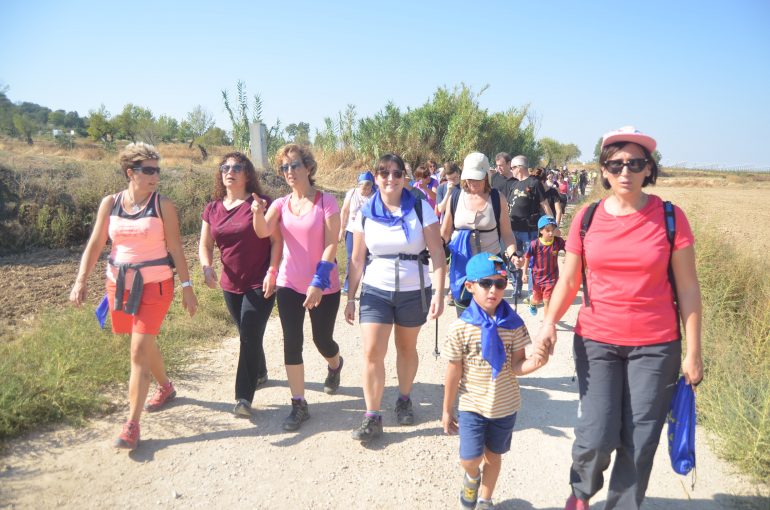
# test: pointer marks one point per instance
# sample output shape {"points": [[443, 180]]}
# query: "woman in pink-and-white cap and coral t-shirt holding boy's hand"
{"points": [[627, 343]]}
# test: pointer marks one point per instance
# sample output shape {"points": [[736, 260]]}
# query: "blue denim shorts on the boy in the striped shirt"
{"points": [[477, 432]]}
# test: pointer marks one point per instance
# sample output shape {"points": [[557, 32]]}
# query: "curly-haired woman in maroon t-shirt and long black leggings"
{"points": [[249, 268]]}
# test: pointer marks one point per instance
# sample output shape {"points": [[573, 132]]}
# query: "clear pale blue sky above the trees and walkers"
{"points": [[695, 75]]}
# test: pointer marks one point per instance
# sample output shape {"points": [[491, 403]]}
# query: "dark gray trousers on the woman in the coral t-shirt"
{"points": [[625, 394]]}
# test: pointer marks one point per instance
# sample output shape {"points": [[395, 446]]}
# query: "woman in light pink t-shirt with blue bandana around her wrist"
{"points": [[309, 221]]}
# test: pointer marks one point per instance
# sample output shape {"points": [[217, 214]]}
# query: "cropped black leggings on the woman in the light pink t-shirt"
{"points": [[322, 319]]}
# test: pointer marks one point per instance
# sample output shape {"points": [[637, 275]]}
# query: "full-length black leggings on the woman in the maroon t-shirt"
{"points": [[250, 311]]}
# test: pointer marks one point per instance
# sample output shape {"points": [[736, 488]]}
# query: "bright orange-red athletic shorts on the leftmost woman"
{"points": [[156, 300]]}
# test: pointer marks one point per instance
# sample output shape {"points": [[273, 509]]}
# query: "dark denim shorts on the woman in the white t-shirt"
{"points": [[402, 308]]}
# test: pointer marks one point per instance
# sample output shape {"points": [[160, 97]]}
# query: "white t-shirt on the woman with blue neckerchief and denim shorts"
{"points": [[385, 240]]}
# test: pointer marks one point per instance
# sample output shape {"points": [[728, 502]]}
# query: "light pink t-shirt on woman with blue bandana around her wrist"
{"points": [[303, 243]]}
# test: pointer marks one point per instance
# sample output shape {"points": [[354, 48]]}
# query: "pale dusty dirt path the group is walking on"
{"points": [[196, 454]]}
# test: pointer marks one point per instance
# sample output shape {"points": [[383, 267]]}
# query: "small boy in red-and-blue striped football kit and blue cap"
{"points": [[541, 255]]}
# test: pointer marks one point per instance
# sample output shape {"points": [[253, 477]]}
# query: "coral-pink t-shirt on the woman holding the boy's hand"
{"points": [[627, 273]]}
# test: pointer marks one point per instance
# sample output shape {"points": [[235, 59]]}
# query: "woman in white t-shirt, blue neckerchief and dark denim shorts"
{"points": [[397, 295]]}
